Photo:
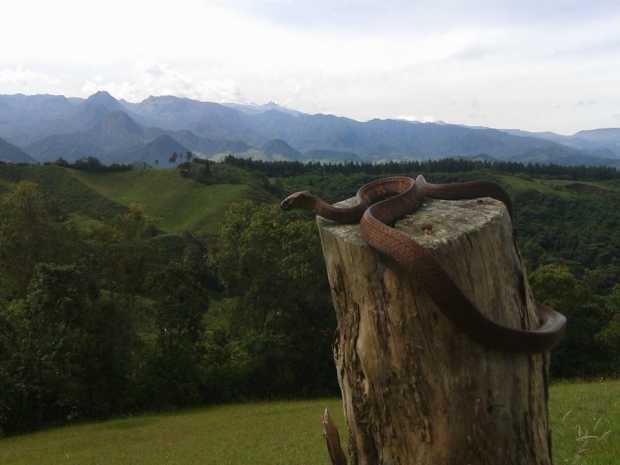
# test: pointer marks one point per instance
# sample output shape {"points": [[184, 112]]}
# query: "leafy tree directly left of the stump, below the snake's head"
{"points": [[271, 263]]}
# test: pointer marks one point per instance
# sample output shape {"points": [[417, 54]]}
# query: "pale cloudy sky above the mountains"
{"points": [[529, 64]]}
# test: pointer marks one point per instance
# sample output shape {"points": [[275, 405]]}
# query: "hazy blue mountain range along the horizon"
{"points": [[47, 127]]}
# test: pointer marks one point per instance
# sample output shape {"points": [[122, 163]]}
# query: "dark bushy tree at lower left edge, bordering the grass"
{"points": [[70, 354]]}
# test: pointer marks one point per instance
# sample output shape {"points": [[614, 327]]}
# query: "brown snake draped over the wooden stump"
{"points": [[381, 203]]}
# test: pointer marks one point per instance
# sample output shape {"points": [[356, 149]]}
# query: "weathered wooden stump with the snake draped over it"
{"points": [[416, 391]]}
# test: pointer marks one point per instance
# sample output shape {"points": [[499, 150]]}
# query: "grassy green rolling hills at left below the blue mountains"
{"points": [[175, 203]]}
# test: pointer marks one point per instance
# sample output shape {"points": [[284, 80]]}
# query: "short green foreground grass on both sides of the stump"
{"points": [[585, 420]]}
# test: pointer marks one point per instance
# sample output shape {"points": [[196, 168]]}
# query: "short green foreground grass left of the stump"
{"points": [[284, 433]]}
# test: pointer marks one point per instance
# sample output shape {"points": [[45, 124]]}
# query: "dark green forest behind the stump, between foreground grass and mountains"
{"points": [[122, 316]]}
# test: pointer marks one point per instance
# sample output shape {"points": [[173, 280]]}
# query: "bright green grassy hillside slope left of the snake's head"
{"points": [[177, 203]]}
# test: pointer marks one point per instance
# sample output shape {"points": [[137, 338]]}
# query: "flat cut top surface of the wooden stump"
{"points": [[434, 223]]}
